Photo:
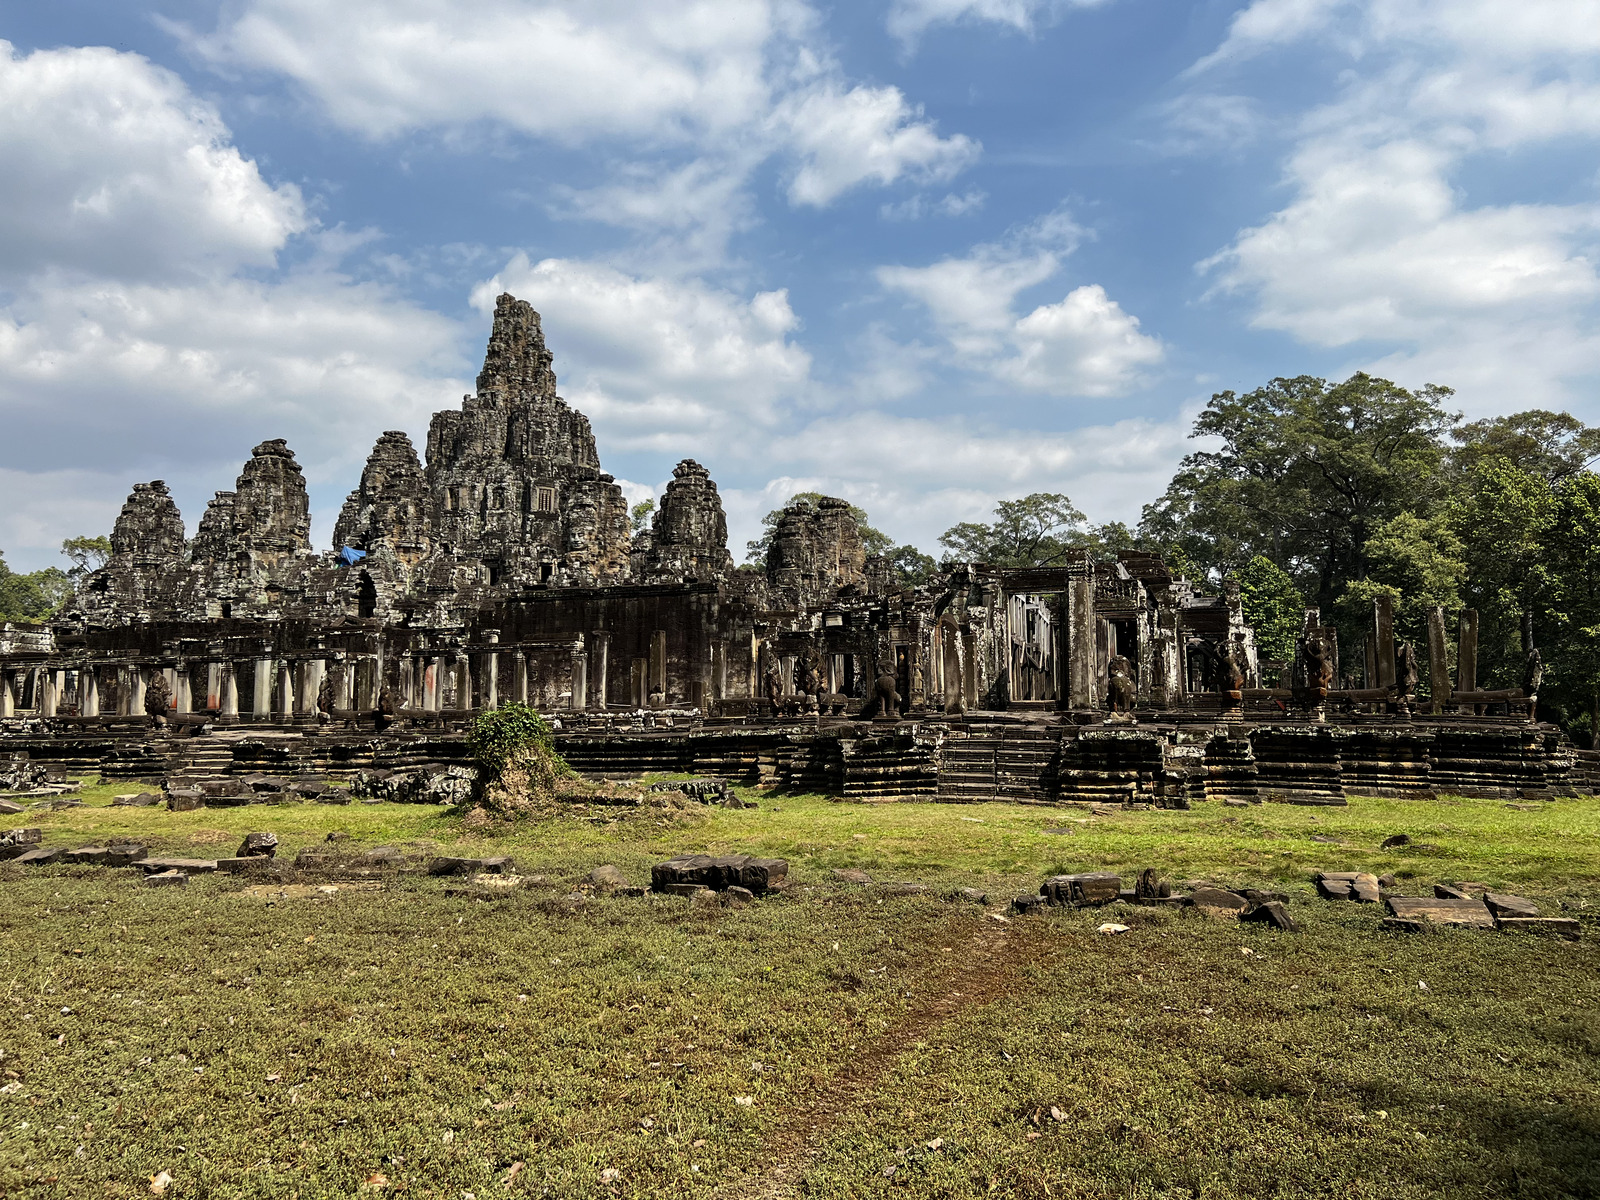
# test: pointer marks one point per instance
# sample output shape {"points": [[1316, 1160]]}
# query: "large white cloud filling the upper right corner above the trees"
{"points": [[1380, 242]]}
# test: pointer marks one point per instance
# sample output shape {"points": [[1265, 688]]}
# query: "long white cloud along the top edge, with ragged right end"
{"points": [[697, 94]]}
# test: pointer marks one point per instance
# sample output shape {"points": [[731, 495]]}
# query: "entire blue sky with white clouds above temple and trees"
{"points": [[924, 254]]}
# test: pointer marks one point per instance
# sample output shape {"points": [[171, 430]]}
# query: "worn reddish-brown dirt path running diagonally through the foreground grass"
{"points": [[985, 969]]}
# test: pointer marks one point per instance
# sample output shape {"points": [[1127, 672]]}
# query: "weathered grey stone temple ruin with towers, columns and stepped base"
{"points": [[502, 567]]}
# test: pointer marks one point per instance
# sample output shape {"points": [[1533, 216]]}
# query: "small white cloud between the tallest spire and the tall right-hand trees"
{"points": [[1086, 345]]}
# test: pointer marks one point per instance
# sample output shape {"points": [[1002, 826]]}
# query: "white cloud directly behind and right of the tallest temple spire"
{"points": [[662, 364]]}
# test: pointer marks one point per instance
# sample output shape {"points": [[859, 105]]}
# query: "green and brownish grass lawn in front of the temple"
{"points": [[834, 1042]]}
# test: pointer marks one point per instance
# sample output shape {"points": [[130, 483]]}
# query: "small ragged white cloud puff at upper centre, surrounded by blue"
{"points": [[849, 137]]}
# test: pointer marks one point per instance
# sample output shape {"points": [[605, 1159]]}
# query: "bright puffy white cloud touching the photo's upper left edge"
{"points": [[113, 167]]}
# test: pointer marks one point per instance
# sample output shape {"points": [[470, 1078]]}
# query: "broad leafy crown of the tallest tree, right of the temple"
{"points": [[1305, 474]]}
